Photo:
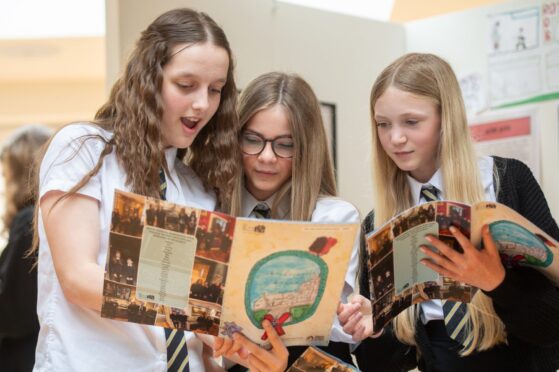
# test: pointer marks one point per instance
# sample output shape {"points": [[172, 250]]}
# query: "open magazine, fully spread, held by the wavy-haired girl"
{"points": [[184, 268]]}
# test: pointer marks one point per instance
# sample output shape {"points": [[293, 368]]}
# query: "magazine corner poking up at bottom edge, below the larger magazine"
{"points": [[314, 359]]}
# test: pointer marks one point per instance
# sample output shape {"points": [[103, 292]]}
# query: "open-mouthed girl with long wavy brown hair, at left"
{"points": [[172, 110]]}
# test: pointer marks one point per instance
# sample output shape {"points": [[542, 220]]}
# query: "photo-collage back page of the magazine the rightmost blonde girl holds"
{"points": [[397, 279]]}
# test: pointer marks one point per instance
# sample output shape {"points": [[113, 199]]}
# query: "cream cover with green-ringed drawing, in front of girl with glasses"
{"points": [[289, 273]]}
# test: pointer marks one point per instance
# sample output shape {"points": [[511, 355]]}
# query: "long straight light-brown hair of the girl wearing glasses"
{"points": [[312, 172]]}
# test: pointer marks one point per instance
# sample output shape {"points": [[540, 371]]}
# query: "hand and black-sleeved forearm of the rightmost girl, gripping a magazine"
{"points": [[525, 300]]}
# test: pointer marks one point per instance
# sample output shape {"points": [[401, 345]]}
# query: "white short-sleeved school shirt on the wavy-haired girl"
{"points": [[73, 338]]}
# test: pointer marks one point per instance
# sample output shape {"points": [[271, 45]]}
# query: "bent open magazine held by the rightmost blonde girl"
{"points": [[398, 280]]}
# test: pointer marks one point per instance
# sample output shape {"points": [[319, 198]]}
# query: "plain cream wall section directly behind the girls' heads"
{"points": [[339, 55]]}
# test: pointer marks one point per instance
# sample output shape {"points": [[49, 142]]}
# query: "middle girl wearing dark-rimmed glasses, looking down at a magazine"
{"points": [[287, 174]]}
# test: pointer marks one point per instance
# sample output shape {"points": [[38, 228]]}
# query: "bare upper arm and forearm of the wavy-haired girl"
{"points": [[72, 229]]}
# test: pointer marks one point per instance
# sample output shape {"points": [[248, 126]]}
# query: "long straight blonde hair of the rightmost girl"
{"points": [[429, 76]]}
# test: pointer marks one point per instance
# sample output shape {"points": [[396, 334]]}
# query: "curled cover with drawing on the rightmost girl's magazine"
{"points": [[520, 242]]}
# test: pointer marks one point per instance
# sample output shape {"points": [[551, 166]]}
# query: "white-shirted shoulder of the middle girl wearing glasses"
{"points": [[331, 209]]}
